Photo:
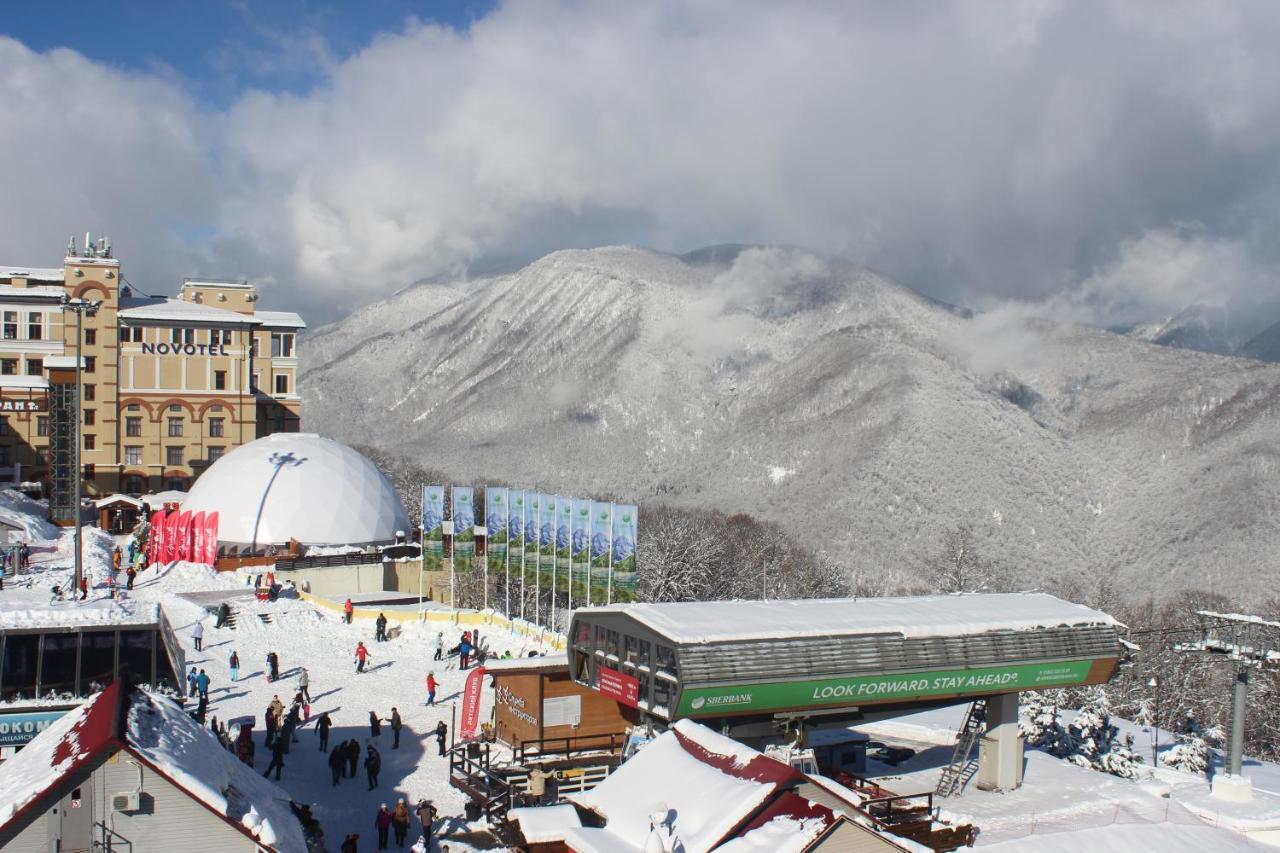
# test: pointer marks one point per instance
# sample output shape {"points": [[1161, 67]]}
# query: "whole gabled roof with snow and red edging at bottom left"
{"points": [[157, 732]]}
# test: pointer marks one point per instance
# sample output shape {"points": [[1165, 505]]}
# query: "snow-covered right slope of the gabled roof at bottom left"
{"points": [[190, 755]]}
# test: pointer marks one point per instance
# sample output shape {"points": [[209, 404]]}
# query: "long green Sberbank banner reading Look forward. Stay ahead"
{"points": [[879, 688]]}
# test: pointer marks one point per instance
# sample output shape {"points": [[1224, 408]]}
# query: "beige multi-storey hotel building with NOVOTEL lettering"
{"points": [[170, 384]]}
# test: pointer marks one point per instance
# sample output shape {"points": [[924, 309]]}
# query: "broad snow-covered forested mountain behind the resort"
{"points": [[866, 418]]}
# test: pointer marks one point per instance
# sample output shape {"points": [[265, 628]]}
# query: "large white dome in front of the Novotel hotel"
{"points": [[298, 486]]}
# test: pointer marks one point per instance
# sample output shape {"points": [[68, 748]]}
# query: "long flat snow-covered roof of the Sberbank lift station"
{"points": [[909, 617]]}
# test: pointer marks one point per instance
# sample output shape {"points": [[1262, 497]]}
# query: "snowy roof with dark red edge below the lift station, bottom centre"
{"points": [[712, 784]]}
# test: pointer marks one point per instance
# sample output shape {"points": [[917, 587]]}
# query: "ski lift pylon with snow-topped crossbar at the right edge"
{"points": [[1245, 642]]}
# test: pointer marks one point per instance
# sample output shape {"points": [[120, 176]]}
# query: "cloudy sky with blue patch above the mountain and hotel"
{"points": [[1123, 154]]}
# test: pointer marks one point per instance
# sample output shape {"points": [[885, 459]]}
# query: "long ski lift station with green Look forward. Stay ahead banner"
{"points": [[753, 663]]}
